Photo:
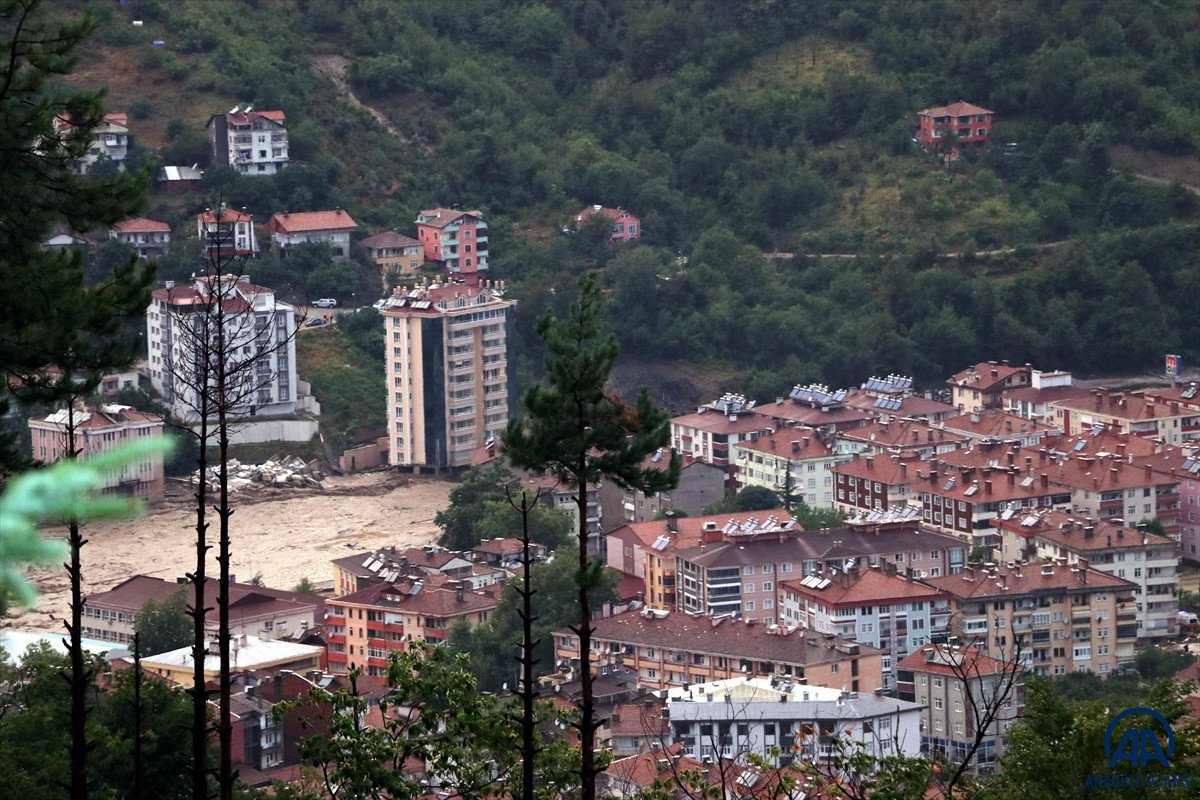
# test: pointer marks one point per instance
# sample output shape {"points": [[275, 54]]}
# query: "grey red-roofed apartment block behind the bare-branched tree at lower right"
{"points": [[958, 689]]}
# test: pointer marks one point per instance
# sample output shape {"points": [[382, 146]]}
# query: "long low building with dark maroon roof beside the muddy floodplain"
{"points": [[256, 611]]}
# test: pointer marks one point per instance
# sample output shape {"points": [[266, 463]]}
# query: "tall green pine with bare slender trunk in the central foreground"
{"points": [[581, 434]]}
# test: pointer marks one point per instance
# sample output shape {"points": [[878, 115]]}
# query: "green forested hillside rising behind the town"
{"points": [[735, 130]]}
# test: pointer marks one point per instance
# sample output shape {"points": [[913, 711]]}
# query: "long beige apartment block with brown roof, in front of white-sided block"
{"points": [[1051, 617]]}
